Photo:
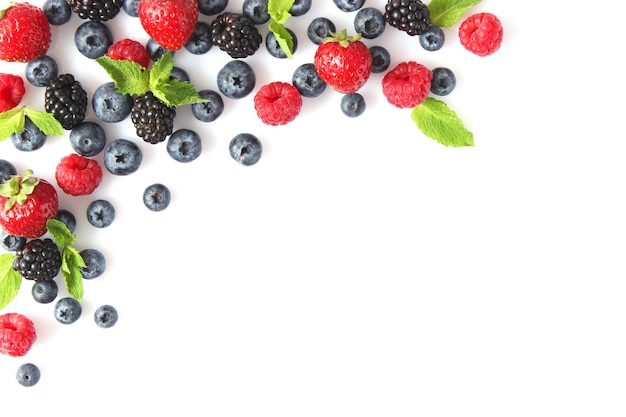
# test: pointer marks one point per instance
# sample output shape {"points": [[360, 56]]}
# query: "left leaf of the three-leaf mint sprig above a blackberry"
{"points": [[129, 77]]}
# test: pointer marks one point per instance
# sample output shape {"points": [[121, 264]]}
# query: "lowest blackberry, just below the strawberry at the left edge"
{"points": [[38, 260]]}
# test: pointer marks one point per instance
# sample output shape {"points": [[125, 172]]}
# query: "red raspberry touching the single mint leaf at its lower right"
{"points": [[407, 85]]}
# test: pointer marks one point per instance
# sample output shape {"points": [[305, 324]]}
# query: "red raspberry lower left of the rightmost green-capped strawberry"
{"points": [[277, 103]]}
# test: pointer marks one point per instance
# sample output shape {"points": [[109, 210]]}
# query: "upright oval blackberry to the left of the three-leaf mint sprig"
{"points": [[66, 100]]}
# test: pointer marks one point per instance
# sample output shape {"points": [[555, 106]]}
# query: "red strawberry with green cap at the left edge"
{"points": [[26, 204]]}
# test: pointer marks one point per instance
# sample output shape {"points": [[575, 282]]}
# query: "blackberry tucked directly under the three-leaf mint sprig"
{"points": [[153, 119]]}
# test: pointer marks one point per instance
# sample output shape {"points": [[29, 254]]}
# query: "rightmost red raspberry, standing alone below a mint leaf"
{"points": [[481, 34]]}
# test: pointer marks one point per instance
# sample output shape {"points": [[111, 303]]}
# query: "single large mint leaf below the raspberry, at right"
{"points": [[437, 121]]}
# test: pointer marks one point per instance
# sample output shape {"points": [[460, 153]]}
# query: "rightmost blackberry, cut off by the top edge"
{"points": [[411, 16]]}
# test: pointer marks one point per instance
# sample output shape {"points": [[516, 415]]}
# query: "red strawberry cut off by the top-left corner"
{"points": [[24, 32]]}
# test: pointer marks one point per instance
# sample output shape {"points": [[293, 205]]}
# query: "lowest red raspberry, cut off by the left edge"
{"points": [[17, 334]]}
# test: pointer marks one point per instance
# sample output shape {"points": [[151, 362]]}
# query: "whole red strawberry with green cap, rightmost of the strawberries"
{"points": [[343, 62]]}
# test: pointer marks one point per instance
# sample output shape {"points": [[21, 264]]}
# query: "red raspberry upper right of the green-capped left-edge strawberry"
{"points": [[77, 175]]}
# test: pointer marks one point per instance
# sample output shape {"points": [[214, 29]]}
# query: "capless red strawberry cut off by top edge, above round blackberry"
{"points": [[170, 23]]}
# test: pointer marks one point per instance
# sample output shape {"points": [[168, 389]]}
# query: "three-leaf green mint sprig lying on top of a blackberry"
{"points": [[133, 79]]}
